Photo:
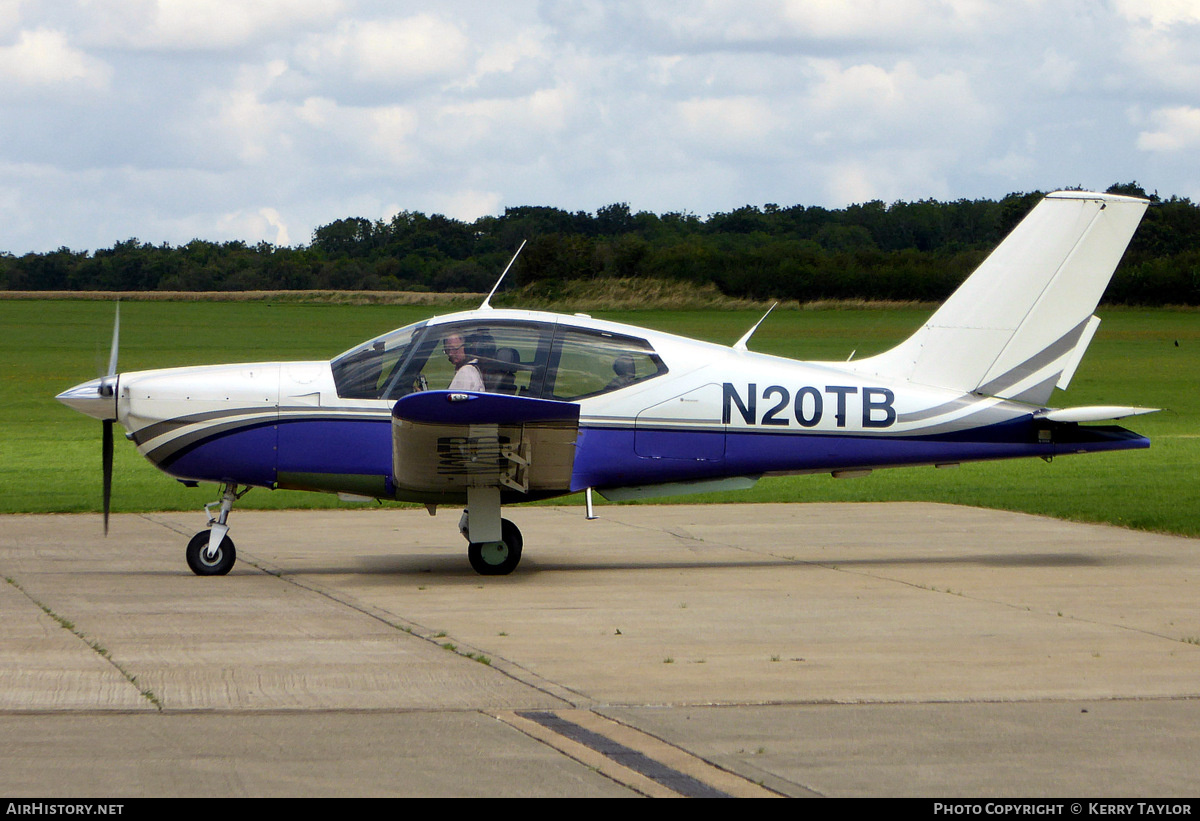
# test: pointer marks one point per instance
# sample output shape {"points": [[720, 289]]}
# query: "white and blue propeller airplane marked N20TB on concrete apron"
{"points": [[494, 407]]}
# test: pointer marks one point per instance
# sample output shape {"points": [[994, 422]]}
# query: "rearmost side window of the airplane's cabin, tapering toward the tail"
{"points": [[586, 363]]}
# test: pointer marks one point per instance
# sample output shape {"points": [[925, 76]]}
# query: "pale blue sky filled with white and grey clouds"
{"points": [[262, 121]]}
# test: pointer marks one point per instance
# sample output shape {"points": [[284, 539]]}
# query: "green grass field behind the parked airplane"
{"points": [[50, 456]]}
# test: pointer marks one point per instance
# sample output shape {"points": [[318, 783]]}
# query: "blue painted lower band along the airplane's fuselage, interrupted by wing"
{"points": [[609, 457]]}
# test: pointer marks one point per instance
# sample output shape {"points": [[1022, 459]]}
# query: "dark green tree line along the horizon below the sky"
{"points": [[904, 251]]}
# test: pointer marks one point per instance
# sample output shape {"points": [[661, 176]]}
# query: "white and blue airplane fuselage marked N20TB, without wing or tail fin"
{"points": [[655, 410]]}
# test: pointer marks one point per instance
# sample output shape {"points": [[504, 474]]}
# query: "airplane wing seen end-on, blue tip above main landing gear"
{"points": [[445, 442]]}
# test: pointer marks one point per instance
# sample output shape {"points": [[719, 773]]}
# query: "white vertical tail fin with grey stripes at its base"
{"points": [[1022, 322]]}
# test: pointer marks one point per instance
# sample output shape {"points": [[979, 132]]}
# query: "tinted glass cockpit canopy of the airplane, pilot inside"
{"points": [[520, 358]]}
